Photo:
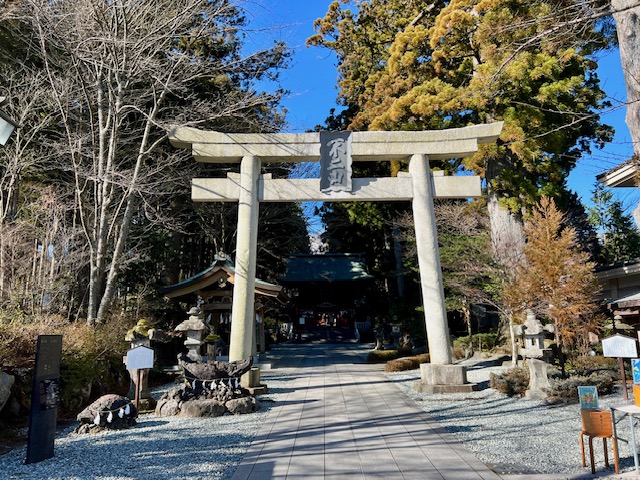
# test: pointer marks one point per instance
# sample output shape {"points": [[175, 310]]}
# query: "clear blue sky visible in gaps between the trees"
{"points": [[312, 83]]}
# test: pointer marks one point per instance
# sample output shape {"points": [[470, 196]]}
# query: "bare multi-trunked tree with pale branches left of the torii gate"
{"points": [[120, 73]]}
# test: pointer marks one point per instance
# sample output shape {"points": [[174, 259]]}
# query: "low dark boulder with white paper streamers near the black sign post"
{"points": [[109, 411]]}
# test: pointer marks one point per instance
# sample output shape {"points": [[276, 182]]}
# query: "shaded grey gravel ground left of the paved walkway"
{"points": [[156, 449]]}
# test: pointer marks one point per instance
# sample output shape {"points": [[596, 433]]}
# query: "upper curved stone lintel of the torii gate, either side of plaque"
{"points": [[216, 147]]}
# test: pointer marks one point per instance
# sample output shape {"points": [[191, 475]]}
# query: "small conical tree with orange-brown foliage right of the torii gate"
{"points": [[556, 279]]}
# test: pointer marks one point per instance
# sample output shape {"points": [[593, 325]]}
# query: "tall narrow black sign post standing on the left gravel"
{"points": [[45, 398]]}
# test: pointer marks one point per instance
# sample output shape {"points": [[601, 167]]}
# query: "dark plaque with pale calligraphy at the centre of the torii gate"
{"points": [[335, 162]]}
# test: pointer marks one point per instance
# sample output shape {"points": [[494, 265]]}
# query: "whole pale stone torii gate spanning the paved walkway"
{"points": [[419, 185]]}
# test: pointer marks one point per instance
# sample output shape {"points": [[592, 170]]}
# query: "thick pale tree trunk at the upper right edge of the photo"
{"points": [[628, 28]]}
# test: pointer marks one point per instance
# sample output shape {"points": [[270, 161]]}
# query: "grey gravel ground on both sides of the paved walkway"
{"points": [[512, 435]]}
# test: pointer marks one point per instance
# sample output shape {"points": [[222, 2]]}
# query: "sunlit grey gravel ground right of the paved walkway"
{"points": [[516, 435]]}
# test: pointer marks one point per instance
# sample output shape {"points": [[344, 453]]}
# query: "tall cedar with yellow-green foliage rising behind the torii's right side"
{"points": [[432, 65]]}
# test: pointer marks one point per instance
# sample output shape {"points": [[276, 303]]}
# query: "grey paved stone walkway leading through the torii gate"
{"points": [[343, 420]]}
